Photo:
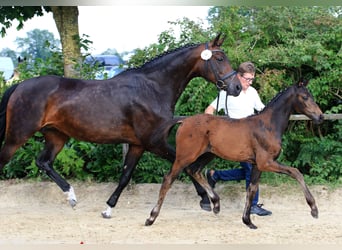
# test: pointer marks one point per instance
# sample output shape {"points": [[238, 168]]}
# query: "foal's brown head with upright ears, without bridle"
{"points": [[305, 103]]}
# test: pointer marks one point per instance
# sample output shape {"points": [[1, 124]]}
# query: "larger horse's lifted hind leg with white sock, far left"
{"points": [[54, 142]]}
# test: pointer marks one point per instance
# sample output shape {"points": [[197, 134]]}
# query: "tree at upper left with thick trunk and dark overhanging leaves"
{"points": [[66, 18]]}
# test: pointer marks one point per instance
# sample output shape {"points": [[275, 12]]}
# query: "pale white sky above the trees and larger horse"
{"points": [[123, 28]]}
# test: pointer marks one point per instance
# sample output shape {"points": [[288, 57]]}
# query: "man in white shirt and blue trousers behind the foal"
{"points": [[239, 107]]}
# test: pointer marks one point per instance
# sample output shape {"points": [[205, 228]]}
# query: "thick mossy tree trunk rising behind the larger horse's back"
{"points": [[66, 18]]}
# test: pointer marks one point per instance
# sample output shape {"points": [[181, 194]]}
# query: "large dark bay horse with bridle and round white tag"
{"points": [[125, 109]]}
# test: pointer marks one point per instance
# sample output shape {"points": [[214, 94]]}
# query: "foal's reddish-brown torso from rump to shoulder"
{"points": [[231, 139]]}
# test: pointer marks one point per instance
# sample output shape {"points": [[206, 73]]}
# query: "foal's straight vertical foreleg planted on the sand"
{"points": [[251, 191]]}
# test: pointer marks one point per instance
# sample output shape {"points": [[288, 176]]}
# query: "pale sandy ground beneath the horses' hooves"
{"points": [[38, 213]]}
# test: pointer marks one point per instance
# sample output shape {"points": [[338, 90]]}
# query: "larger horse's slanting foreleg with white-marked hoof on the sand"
{"points": [[132, 157]]}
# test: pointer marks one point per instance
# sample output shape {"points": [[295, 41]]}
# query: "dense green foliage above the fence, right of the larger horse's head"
{"points": [[287, 43]]}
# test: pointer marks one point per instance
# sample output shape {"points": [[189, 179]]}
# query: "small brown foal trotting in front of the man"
{"points": [[255, 139]]}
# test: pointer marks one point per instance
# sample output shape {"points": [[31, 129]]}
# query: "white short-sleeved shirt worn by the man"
{"points": [[240, 106]]}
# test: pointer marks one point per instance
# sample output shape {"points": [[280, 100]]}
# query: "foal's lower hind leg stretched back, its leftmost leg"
{"points": [[166, 185]]}
